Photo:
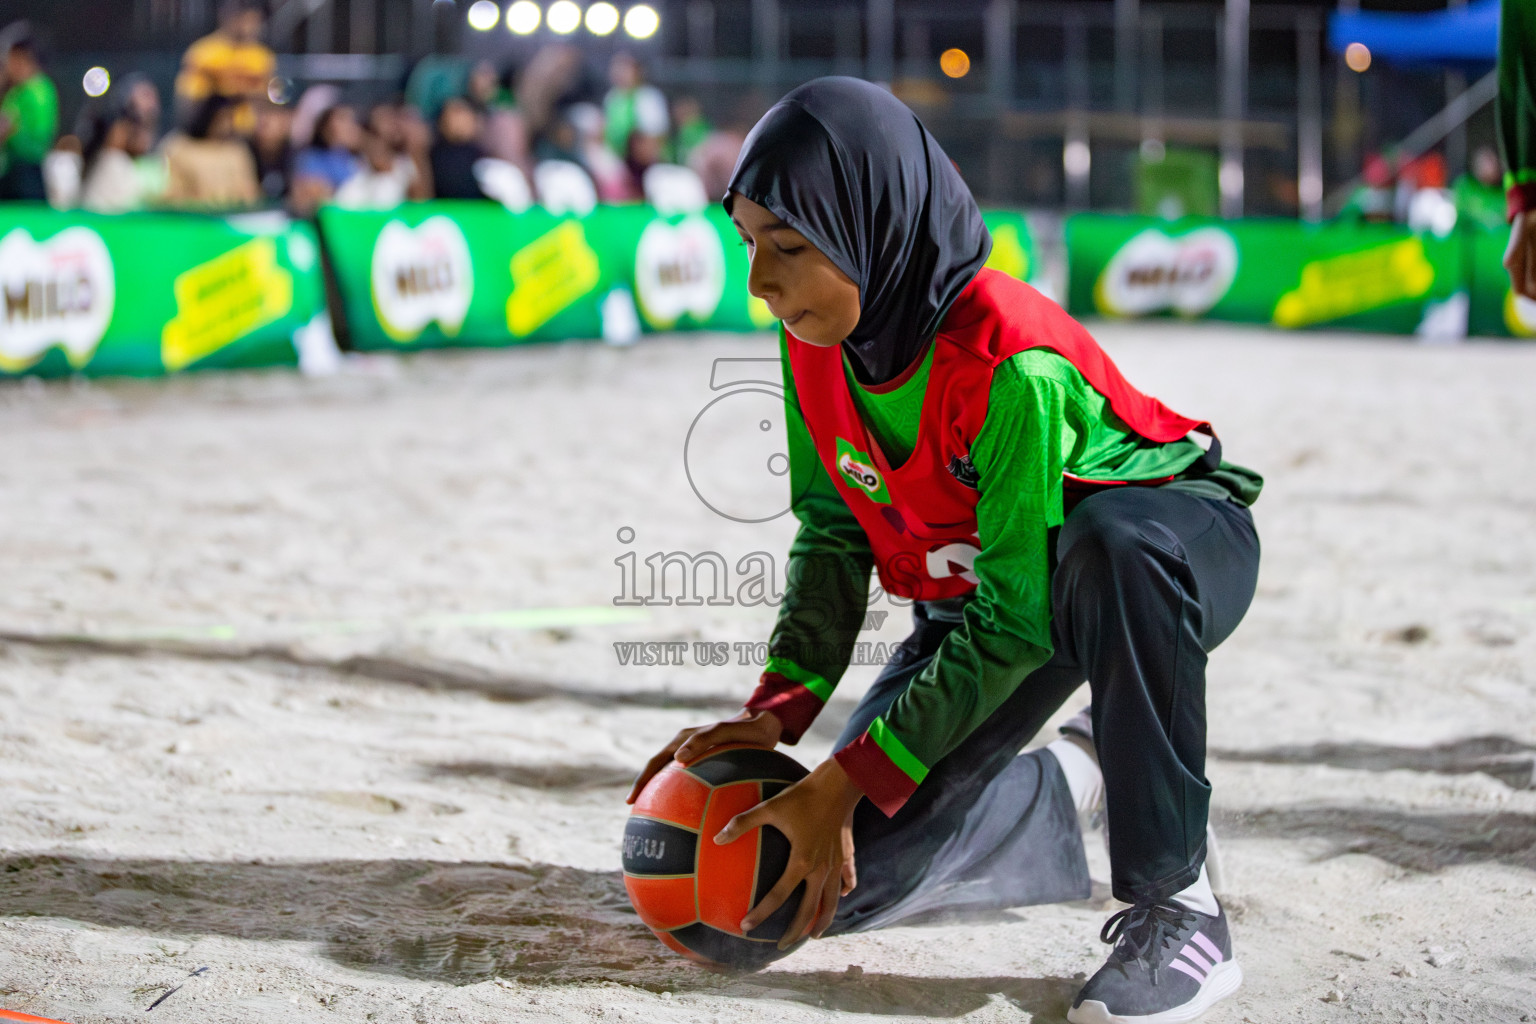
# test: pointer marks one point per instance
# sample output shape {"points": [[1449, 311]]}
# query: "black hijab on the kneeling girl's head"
{"points": [[853, 170]]}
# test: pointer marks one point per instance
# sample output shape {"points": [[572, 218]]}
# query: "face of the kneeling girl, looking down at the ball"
{"points": [[815, 300]]}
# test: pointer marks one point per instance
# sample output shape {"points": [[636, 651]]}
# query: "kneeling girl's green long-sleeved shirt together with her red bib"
{"points": [[952, 484]]}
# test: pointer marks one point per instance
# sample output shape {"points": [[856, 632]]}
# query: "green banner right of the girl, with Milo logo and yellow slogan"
{"points": [[1286, 274]]}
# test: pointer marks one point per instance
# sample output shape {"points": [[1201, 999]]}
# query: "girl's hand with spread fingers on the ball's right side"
{"points": [[816, 816]]}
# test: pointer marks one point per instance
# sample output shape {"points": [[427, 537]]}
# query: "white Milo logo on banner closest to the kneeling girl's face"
{"points": [[680, 269]]}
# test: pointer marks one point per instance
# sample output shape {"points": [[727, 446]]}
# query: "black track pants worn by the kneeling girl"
{"points": [[1148, 583]]}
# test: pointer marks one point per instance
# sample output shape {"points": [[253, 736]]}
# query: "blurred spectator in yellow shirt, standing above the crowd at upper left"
{"points": [[233, 62]]}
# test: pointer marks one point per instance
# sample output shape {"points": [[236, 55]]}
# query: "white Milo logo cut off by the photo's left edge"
{"points": [[59, 292]]}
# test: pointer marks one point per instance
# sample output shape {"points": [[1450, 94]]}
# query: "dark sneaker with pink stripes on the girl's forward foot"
{"points": [[1168, 968]]}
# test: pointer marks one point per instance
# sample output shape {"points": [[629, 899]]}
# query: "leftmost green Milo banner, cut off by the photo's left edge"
{"points": [[150, 294]]}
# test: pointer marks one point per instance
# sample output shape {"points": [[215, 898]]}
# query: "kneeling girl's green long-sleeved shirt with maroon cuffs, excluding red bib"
{"points": [[1044, 421]]}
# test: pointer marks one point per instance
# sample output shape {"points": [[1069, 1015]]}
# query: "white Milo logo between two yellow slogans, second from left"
{"points": [[422, 276]]}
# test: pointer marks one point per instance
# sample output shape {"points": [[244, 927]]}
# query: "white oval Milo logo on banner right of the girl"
{"points": [[1154, 273]]}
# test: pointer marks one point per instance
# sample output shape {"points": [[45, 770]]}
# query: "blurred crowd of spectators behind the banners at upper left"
{"points": [[457, 131]]}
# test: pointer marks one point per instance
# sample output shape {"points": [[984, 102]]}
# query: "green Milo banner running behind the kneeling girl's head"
{"points": [[472, 274]]}
